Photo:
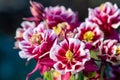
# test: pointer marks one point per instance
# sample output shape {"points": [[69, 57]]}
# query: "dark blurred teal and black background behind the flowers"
{"points": [[12, 67]]}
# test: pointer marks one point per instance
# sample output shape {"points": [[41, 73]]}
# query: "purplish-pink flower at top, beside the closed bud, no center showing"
{"points": [[57, 15]]}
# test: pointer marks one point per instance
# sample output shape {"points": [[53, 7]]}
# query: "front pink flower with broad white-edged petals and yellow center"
{"points": [[69, 56]]}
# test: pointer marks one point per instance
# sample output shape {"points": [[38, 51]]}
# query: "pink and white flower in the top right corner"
{"points": [[107, 16]]}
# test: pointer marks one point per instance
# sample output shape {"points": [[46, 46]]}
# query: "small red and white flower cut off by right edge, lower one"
{"points": [[110, 50]]}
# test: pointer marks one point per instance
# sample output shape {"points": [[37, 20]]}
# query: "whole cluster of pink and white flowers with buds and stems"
{"points": [[66, 49]]}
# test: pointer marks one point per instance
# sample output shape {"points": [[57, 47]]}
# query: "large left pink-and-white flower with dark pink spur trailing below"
{"points": [[36, 44]]}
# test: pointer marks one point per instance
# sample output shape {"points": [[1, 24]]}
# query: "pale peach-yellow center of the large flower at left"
{"points": [[36, 38]]}
